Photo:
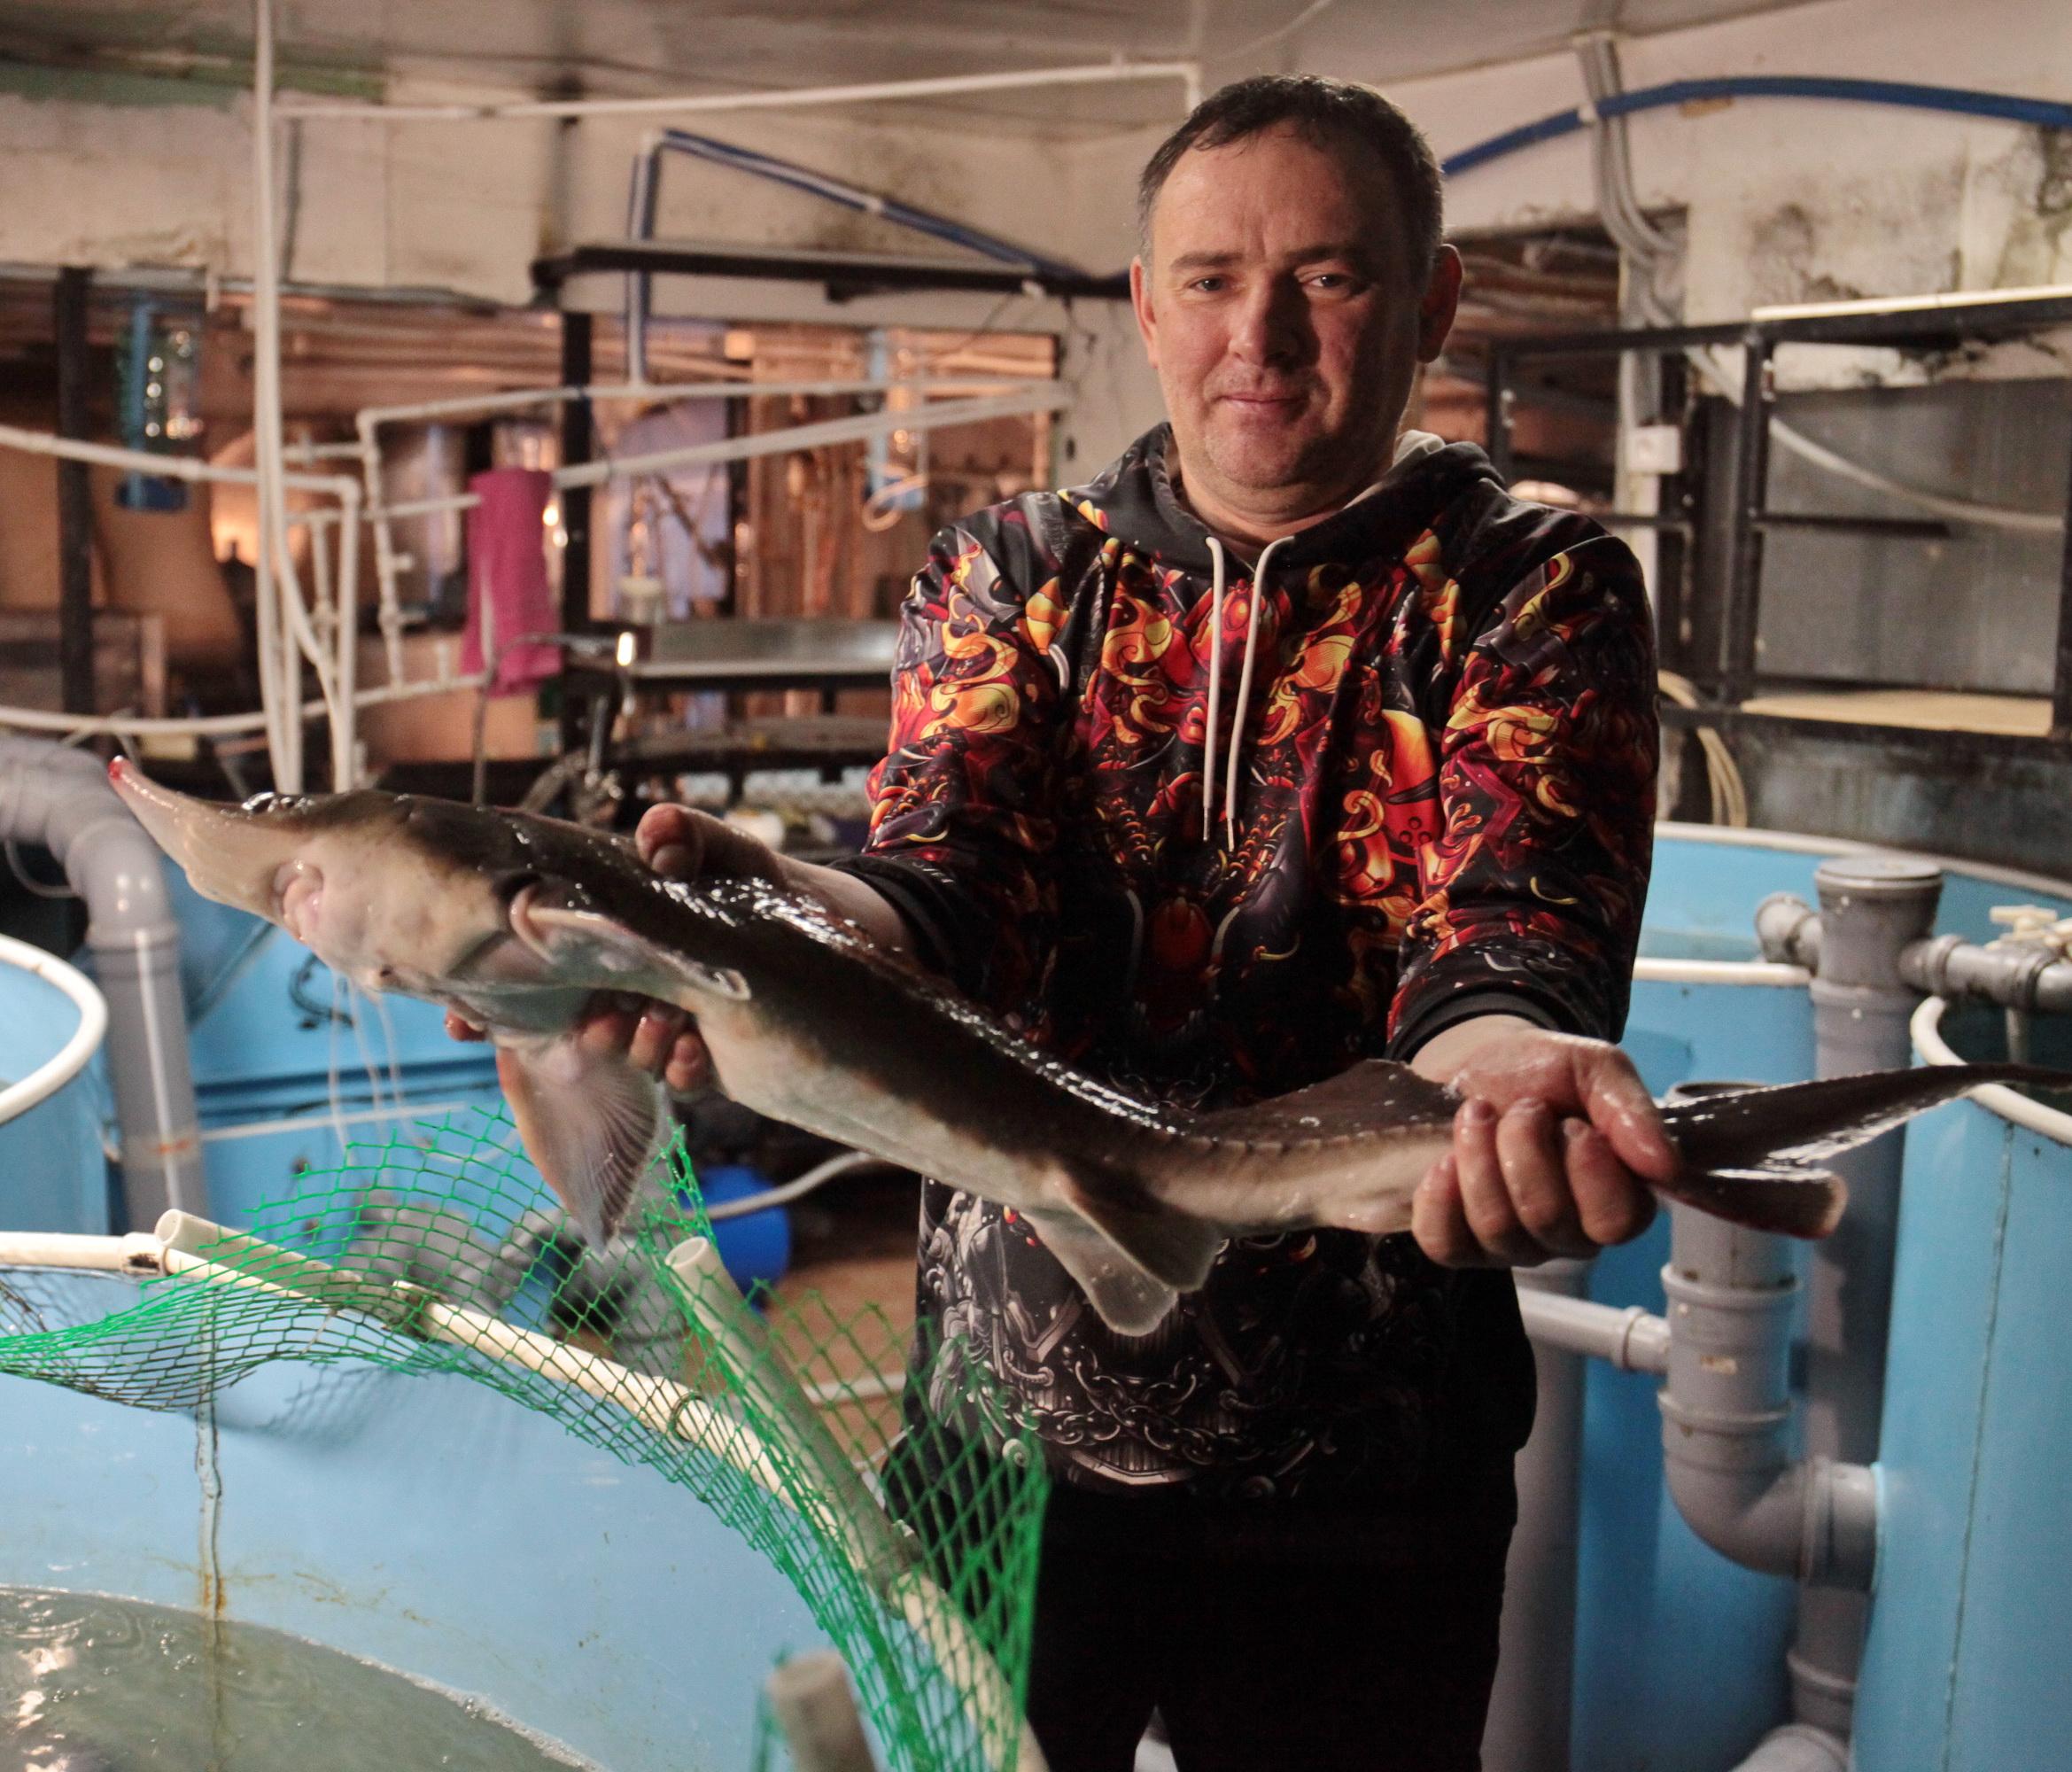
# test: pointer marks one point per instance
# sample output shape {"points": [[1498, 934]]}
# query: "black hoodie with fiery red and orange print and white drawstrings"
{"points": [[1215, 832]]}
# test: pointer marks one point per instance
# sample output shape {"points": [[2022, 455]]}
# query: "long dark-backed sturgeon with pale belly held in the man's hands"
{"points": [[519, 921]]}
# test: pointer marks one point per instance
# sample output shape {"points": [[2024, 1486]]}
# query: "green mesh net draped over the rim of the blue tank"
{"points": [[440, 1255]]}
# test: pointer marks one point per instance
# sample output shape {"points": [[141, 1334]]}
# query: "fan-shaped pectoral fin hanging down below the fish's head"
{"points": [[589, 1122]]}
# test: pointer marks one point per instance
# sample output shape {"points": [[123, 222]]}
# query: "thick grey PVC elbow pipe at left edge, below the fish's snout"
{"points": [[61, 801]]}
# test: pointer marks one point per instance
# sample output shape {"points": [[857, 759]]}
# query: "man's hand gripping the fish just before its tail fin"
{"points": [[1553, 1147]]}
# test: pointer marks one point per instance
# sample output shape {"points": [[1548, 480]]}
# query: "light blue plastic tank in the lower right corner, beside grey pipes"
{"points": [[1969, 1655]]}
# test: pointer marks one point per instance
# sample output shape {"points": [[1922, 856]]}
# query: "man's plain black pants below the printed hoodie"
{"points": [[1300, 1649]]}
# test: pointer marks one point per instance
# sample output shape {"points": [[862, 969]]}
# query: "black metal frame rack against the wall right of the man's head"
{"points": [[1733, 679]]}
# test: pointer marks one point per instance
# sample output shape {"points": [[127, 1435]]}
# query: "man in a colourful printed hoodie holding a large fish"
{"points": [[1290, 741]]}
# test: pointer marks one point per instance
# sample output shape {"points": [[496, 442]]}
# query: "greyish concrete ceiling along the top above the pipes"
{"points": [[652, 47]]}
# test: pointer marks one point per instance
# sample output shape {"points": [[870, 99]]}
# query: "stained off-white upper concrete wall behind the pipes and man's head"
{"points": [[1785, 200]]}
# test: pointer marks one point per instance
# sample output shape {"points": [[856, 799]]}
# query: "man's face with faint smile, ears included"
{"points": [[1286, 320]]}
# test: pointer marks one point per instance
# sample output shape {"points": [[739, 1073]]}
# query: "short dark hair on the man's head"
{"points": [[1325, 115]]}
